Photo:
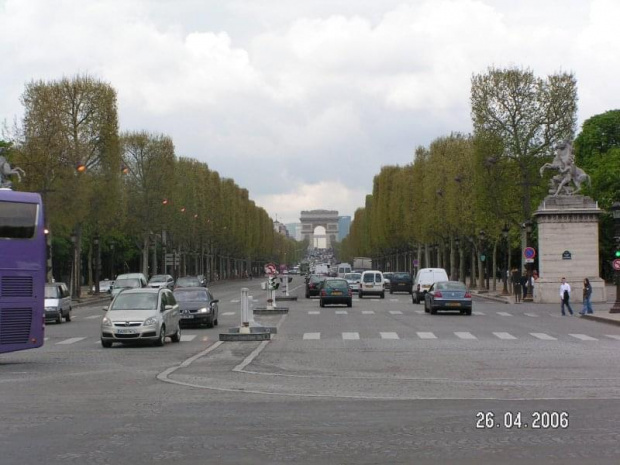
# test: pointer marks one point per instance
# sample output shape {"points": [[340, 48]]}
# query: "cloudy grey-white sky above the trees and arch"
{"points": [[302, 101]]}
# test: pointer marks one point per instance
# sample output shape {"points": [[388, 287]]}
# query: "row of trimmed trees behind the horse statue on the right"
{"points": [[465, 201]]}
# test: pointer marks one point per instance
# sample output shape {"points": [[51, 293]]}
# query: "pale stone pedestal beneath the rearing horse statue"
{"points": [[568, 247]]}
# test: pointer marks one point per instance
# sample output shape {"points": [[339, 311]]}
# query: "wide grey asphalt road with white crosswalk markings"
{"points": [[381, 382]]}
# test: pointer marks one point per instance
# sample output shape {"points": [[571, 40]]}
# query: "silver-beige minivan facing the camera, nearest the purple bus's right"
{"points": [[143, 314]]}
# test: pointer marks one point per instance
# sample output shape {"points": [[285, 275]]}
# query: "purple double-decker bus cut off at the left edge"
{"points": [[22, 271]]}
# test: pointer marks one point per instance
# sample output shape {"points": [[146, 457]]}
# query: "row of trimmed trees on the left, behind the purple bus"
{"points": [[118, 201]]}
